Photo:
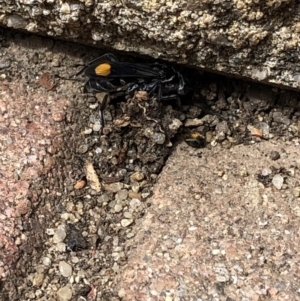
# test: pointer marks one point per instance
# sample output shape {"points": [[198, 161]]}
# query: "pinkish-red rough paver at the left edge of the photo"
{"points": [[28, 133]]}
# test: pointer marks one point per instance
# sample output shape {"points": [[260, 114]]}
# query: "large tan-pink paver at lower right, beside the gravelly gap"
{"points": [[214, 232]]}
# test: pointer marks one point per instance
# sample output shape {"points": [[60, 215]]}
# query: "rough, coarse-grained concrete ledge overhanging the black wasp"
{"points": [[255, 39]]}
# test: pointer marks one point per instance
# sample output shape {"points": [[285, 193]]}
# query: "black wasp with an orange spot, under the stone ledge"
{"points": [[107, 74]]}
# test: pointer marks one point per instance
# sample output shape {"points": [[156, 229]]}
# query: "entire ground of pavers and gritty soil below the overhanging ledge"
{"points": [[127, 210]]}
